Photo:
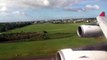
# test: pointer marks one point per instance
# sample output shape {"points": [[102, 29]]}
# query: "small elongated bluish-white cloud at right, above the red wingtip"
{"points": [[86, 8]]}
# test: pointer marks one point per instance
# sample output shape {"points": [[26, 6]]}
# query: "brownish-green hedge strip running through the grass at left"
{"points": [[21, 36]]}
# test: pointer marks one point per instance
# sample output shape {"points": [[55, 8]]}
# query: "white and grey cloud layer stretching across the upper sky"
{"points": [[8, 6]]}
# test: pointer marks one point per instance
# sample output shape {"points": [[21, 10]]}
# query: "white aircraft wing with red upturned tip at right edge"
{"points": [[102, 21]]}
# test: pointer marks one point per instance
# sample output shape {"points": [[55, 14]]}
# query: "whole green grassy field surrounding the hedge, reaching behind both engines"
{"points": [[61, 36]]}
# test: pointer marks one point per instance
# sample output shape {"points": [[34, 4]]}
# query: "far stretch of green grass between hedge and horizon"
{"points": [[52, 28]]}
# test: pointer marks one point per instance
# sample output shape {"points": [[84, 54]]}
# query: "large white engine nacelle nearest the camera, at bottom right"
{"points": [[69, 54]]}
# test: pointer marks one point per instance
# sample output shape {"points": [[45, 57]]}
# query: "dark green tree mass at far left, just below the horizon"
{"points": [[8, 26]]}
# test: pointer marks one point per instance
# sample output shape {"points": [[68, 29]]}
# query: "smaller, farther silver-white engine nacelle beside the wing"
{"points": [[89, 31]]}
